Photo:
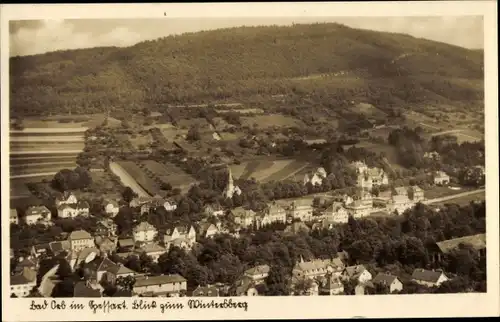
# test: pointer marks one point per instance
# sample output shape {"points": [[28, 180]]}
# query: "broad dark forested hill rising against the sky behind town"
{"points": [[236, 63]]}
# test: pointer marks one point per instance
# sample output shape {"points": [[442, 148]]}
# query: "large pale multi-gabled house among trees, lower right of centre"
{"points": [[317, 268]]}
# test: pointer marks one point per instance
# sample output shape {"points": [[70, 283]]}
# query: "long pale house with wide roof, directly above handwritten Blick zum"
{"points": [[161, 285]]}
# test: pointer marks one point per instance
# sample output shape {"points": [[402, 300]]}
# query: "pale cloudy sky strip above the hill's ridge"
{"points": [[29, 37]]}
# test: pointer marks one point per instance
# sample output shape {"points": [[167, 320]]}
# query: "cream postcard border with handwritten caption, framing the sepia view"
{"points": [[389, 306]]}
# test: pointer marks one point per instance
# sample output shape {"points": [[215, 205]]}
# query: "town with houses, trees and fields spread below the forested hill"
{"points": [[283, 194]]}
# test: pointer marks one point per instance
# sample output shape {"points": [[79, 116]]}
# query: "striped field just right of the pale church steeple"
{"points": [[268, 170]]}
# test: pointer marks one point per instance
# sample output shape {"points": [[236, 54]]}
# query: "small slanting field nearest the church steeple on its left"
{"points": [[169, 173]]}
